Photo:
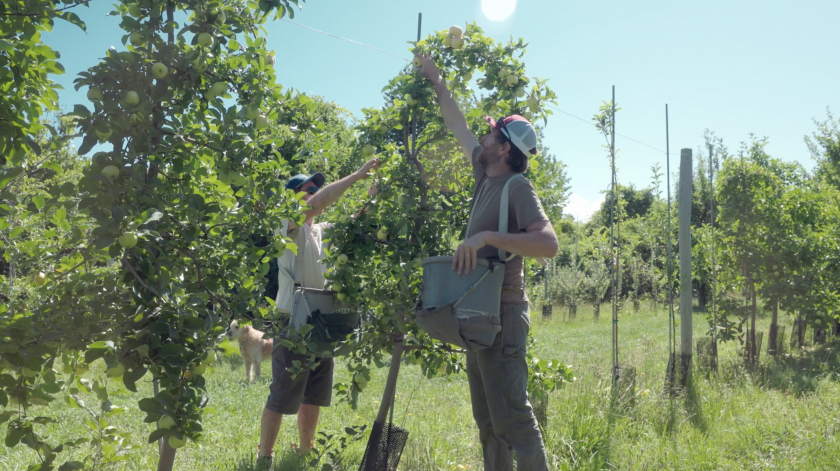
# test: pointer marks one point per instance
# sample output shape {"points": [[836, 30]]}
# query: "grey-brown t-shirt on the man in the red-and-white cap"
{"points": [[524, 209]]}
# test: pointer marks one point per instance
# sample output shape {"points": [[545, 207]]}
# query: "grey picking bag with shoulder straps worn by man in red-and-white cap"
{"points": [[469, 319]]}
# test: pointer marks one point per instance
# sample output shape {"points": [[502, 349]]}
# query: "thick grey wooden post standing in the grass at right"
{"points": [[686, 324]]}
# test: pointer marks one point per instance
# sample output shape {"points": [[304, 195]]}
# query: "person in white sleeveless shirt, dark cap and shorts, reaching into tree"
{"points": [[305, 394]]}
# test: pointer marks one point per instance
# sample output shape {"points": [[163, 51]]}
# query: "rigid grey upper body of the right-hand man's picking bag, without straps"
{"points": [[442, 285]]}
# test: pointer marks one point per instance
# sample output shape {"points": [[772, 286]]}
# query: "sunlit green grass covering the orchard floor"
{"points": [[782, 415]]}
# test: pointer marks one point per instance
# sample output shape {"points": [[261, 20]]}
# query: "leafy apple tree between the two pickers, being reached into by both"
{"points": [[424, 188]]}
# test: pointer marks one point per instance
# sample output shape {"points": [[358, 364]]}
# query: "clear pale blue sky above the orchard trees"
{"points": [[734, 67]]}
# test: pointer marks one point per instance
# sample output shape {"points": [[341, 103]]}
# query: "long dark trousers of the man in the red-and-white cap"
{"points": [[498, 378]]}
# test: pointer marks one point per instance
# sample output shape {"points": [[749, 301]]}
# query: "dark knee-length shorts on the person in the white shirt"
{"points": [[312, 387]]}
